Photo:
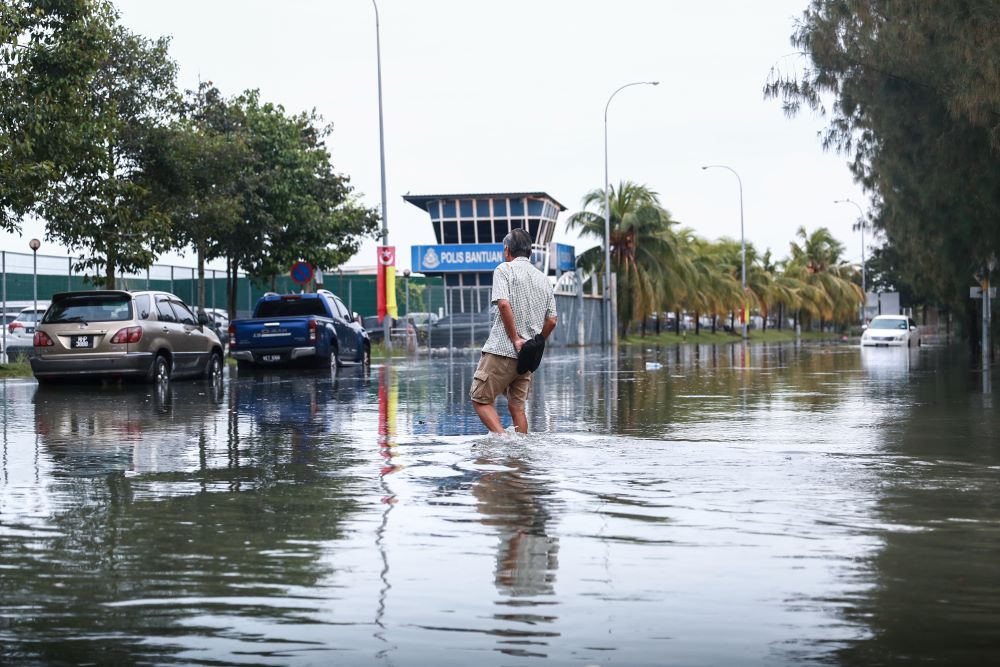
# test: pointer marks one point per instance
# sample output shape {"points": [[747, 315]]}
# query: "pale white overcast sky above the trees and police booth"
{"points": [[509, 96]]}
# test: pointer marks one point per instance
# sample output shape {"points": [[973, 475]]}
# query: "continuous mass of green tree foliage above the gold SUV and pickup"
{"points": [[97, 141]]}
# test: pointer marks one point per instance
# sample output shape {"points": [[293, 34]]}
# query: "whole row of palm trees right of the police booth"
{"points": [[661, 266]]}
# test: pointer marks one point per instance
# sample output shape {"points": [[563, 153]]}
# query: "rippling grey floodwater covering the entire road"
{"points": [[761, 505]]}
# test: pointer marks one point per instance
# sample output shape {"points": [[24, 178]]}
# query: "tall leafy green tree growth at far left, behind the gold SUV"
{"points": [[79, 158]]}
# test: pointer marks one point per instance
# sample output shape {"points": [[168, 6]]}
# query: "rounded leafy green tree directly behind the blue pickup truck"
{"points": [[247, 182]]}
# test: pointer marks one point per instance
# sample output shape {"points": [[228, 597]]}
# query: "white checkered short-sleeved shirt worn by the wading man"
{"points": [[531, 298]]}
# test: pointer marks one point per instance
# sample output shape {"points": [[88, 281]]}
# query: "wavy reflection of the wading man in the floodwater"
{"points": [[518, 505]]}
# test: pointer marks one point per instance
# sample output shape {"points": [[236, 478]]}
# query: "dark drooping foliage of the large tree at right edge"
{"points": [[912, 92]]}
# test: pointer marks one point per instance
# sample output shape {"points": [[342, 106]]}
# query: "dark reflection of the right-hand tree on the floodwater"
{"points": [[933, 579]]}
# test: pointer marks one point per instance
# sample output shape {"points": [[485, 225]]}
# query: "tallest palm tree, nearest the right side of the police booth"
{"points": [[643, 247]]}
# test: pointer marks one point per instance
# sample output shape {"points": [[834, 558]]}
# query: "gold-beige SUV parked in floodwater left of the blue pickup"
{"points": [[146, 335]]}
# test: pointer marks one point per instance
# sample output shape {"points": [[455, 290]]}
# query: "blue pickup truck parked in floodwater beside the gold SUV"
{"points": [[314, 329]]}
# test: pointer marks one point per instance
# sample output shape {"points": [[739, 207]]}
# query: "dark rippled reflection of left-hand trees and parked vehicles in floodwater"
{"points": [[169, 524]]}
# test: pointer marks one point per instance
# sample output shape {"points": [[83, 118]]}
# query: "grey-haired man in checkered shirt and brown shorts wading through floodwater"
{"points": [[527, 307]]}
